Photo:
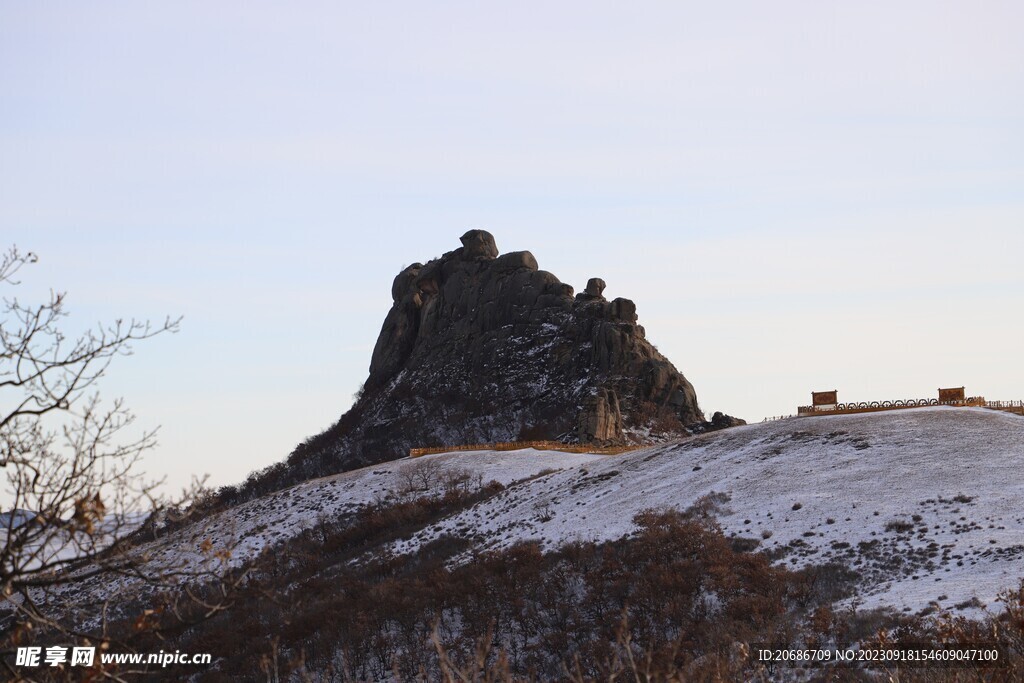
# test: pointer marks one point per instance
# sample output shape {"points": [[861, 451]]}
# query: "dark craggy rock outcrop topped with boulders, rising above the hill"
{"points": [[481, 348]]}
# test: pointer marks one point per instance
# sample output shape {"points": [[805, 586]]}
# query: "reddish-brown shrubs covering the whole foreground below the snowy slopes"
{"points": [[674, 602]]}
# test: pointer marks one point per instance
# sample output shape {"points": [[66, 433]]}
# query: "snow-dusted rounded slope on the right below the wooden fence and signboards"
{"points": [[925, 503]]}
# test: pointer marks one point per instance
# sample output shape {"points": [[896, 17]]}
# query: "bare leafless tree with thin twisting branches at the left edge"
{"points": [[73, 487]]}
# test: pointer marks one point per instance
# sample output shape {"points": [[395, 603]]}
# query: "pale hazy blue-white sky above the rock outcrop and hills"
{"points": [[798, 196]]}
